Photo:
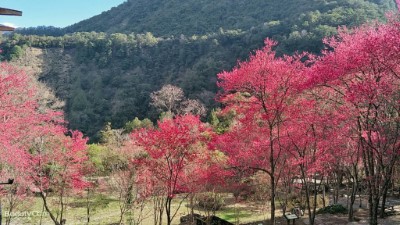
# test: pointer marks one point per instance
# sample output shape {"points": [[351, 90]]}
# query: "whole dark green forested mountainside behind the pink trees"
{"points": [[105, 68]]}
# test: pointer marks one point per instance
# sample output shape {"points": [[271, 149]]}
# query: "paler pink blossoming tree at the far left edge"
{"points": [[35, 143]]}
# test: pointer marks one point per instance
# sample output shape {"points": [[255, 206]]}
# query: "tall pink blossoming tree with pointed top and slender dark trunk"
{"points": [[261, 91]]}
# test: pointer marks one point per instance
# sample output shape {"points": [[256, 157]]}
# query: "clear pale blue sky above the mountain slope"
{"points": [[58, 13]]}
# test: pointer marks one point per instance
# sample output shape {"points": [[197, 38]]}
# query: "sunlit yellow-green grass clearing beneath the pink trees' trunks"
{"points": [[107, 211]]}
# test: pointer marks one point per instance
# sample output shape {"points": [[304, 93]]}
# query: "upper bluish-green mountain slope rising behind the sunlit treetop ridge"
{"points": [[189, 17]]}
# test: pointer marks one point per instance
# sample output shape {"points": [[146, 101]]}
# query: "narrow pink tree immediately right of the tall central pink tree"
{"points": [[313, 144]]}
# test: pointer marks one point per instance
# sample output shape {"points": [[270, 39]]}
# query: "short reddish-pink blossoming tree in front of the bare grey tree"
{"points": [[170, 150]]}
